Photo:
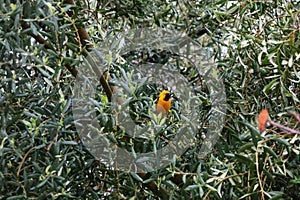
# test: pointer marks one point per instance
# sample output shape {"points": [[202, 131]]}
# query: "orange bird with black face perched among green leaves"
{"points": [[163, 104]]}
